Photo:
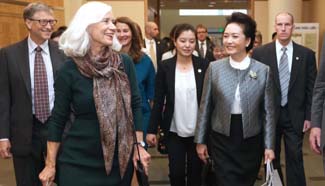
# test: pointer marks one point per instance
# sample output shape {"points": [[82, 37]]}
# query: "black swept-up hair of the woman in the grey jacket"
{"points": [[248, 25]]}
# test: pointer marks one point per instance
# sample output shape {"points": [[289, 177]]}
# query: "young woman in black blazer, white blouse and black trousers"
{"points": [[179, 81]]}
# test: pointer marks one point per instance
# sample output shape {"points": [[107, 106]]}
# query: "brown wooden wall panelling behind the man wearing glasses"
{"points": [[12, 27]]}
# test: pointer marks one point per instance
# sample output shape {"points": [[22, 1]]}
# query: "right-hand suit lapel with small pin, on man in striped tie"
{"points": [[296, 60]]}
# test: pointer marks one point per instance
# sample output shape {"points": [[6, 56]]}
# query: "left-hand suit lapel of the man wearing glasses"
{"points": [[23, 64]]}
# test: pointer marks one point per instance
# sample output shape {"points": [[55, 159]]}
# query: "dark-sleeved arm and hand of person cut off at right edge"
{"points": [[317, 135]]}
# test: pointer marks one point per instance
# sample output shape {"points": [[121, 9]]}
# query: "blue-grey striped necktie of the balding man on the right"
{"points": [[284, 76]]}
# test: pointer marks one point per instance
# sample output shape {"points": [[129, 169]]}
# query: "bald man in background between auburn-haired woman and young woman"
{"points": [[152, 44]]}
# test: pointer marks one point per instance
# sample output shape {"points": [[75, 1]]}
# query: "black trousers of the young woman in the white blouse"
{"points": [[184, 164]]}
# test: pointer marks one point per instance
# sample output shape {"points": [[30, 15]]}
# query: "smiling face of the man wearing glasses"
{"points": [[38, 33]]}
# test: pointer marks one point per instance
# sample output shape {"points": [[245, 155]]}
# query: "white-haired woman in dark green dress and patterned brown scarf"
{"points": [[100, 85]]}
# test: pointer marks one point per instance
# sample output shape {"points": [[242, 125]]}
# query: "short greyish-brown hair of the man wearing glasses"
{"points": [[32, 8]]}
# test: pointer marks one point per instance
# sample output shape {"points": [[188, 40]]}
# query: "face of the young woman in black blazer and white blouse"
{"points": [[185, 43]]}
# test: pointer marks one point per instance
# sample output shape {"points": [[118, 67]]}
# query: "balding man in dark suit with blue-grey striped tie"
{"points": [[294, 72]]}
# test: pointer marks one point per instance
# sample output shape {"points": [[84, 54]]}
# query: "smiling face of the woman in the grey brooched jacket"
{"points": [[235, 41]]}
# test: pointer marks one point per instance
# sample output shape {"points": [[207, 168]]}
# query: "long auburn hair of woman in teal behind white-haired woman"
{"points": [[135, 48]]}
